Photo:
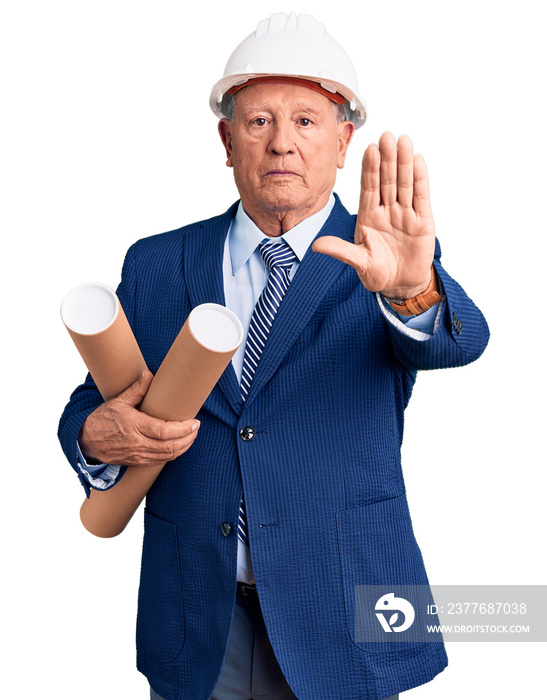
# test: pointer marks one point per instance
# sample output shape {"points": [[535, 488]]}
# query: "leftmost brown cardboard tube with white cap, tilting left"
{"points": [[99, 328]]}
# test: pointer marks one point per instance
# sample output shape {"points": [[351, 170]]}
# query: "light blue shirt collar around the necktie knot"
{"points": [[245, 235]]}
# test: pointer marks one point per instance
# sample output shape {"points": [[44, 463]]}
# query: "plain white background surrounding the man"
{"points": [[107, 137]]}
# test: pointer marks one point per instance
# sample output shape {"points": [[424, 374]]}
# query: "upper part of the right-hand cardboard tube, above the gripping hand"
{"points": [[199, 355]]}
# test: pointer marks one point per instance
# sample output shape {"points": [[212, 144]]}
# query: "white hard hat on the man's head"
{"points": [[296, 47]]}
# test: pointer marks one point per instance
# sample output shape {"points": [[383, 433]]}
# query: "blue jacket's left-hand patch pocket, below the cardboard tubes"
{"points": [[160, 620]]}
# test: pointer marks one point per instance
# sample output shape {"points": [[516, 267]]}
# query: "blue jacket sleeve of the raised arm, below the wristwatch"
{"points": [[460, 338]]}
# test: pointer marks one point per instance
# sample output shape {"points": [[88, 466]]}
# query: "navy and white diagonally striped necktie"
{"points": [[279, 257]]}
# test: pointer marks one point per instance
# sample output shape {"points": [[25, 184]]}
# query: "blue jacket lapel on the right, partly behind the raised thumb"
{"points": [[316, 274]]}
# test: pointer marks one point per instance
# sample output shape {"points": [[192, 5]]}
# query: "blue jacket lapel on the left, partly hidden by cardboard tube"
{"points": [[203, 264]]}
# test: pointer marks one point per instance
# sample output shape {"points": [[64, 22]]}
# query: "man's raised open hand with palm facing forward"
{"points": [[395, 232]]}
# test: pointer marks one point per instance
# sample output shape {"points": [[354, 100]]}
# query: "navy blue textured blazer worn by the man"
{"points": [[324, 490]]}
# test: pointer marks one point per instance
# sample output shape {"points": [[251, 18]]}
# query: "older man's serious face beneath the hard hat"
{"points": [[284, 145]]}
